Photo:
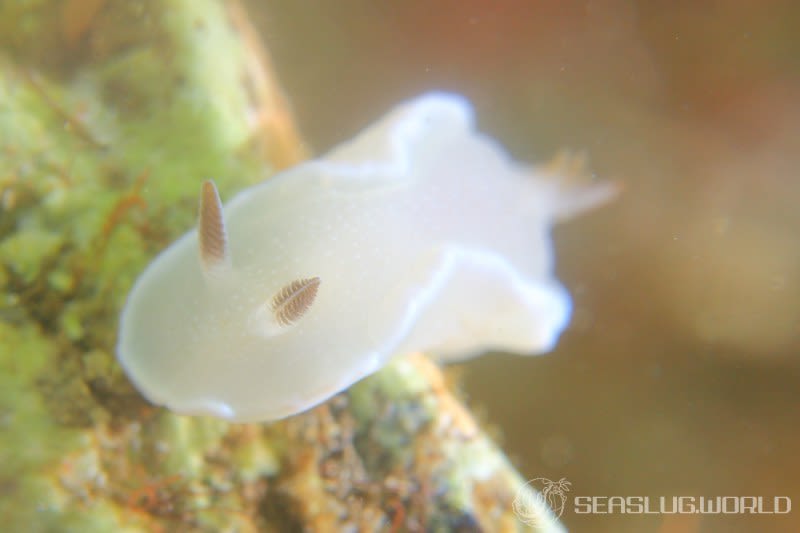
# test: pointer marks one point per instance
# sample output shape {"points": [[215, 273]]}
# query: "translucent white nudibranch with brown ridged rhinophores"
{"points": [[420, 234]]}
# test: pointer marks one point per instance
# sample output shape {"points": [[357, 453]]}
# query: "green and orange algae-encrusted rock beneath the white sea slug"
{"points": [[111, 114]]}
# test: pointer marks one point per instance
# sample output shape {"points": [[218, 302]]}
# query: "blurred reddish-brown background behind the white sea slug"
{"points": [[680, 372]]}
